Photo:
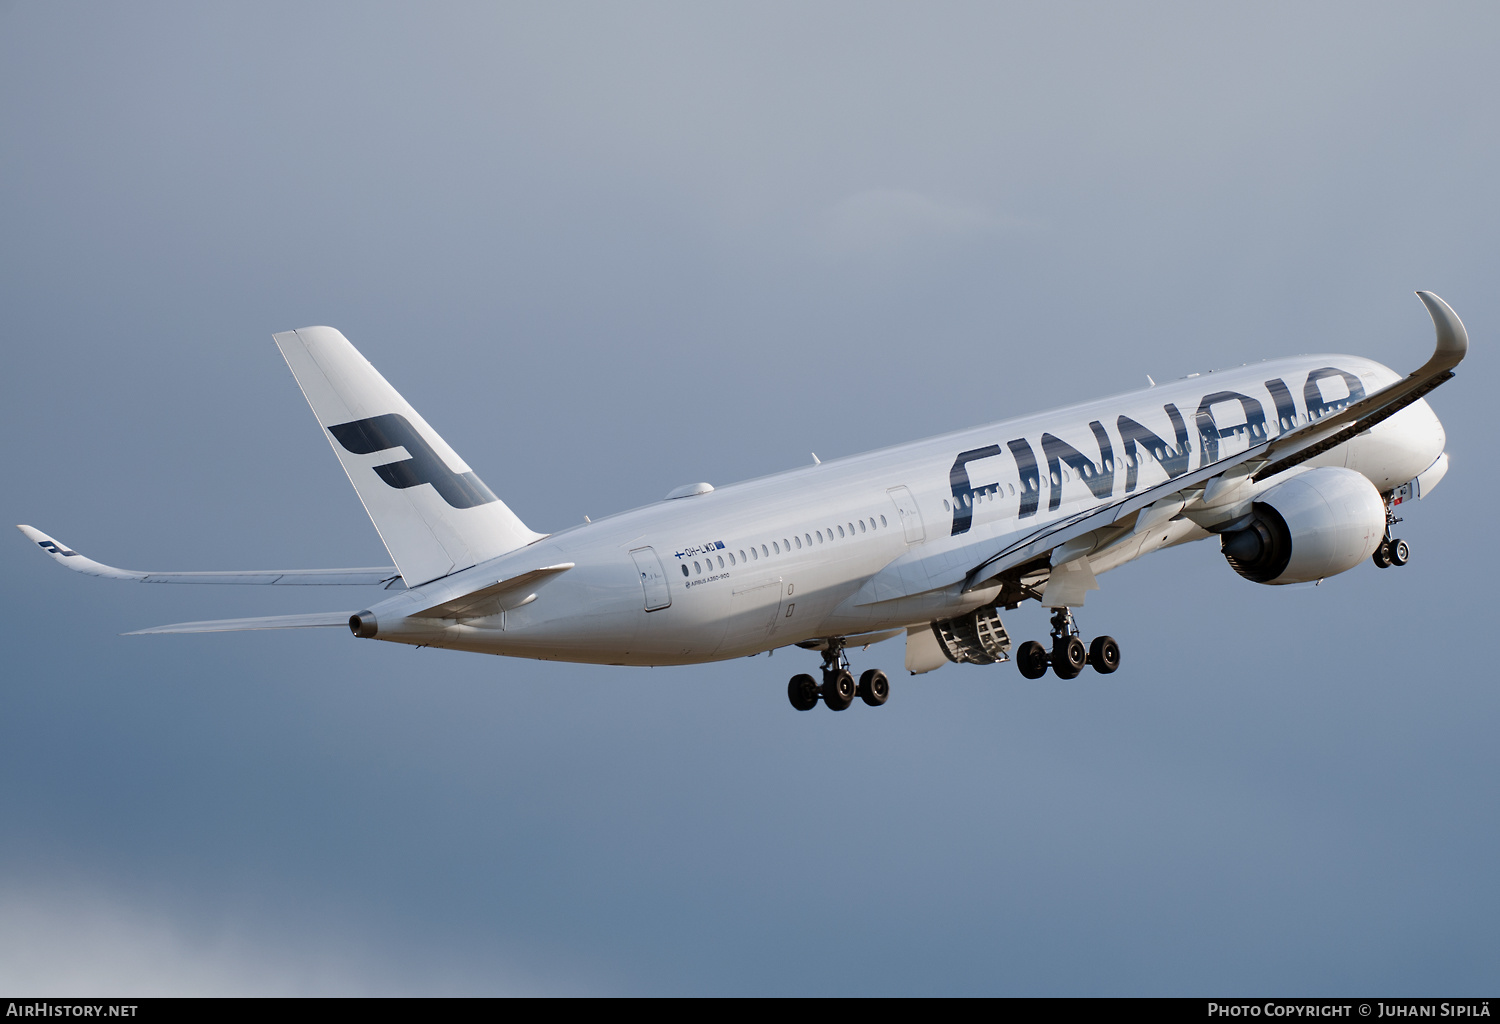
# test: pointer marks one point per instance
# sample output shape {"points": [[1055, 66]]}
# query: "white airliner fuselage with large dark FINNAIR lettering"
{"points": [[805, 554]]}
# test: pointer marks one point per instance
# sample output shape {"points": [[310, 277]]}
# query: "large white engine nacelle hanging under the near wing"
{"points": [[1319, 524]]}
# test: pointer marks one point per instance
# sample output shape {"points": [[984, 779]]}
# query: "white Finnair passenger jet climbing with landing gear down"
{"points": [[1297, 466]]}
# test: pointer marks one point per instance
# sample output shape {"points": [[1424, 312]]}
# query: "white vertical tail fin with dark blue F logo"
{"points": [[431, 511]]}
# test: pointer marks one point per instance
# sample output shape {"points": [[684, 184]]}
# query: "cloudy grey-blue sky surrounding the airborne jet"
{"points": [[608, 250]]}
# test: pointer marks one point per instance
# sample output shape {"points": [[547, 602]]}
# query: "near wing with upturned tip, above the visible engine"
{"points": [[985, 558]]}
